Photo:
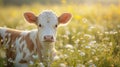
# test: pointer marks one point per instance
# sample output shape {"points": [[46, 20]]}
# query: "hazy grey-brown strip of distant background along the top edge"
{"points": [[44, 2]]}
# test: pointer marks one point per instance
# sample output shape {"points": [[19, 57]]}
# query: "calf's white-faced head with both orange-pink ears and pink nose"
{"points": [[47, 23]]}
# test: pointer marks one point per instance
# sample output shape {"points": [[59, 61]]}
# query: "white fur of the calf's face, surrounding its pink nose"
{"points": [[48, 20]]}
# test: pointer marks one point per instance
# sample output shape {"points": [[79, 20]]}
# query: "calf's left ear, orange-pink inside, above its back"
{"points": [[30, 17]]}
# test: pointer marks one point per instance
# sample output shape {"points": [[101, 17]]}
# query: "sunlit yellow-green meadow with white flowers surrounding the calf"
{"points": [[91, 39]]}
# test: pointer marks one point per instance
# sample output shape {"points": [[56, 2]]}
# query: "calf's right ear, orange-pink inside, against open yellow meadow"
{"points": [[64, 18]]}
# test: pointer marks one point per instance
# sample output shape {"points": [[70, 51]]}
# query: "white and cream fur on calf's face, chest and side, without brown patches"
{"points": [[48, 21]]}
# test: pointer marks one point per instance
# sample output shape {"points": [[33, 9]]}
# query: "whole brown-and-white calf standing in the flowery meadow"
{"points": [[21, 45]]}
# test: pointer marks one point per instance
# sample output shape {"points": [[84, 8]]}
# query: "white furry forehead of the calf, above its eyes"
{"points": [[47, 17]]}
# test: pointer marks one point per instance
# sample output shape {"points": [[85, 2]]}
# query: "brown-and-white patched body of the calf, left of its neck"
{"points": [[20, 45]]}
